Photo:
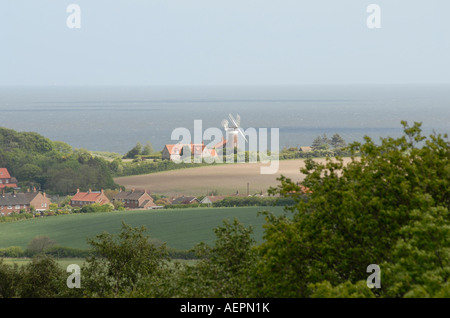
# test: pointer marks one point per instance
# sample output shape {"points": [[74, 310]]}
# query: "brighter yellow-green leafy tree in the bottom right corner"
{"points": [[420, 265]]}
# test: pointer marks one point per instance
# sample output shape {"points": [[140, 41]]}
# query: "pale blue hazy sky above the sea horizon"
{"points": [[215, 42]]}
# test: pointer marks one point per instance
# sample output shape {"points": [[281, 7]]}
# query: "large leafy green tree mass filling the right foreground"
{"points": [[388, 206]]}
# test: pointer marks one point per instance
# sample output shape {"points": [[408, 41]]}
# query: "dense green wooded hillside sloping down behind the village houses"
{"points": [[52, 166]]}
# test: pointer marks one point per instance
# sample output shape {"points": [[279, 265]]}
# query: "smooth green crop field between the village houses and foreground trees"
{"points": [[179, 228]]}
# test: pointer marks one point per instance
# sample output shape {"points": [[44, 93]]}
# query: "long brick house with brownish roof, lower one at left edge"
{"points": [[14, 202]]}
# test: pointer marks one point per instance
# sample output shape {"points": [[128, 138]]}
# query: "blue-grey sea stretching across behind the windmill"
{"points": [[115, 118]]}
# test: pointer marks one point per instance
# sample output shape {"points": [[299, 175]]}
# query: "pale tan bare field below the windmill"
{"points": [[226, 178]]}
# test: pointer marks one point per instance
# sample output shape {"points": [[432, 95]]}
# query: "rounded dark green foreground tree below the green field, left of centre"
{"points": [[122, 263]]}
